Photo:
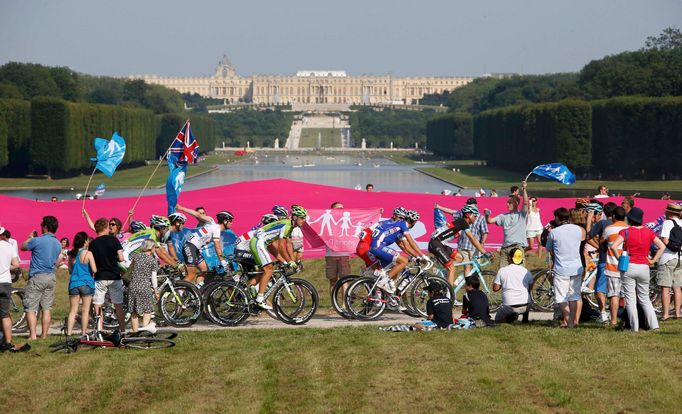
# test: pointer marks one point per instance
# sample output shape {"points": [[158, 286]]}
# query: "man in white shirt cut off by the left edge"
{"points": [[9, 260]]}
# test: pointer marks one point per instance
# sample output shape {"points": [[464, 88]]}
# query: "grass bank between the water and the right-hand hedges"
{"points": [[471, 175]]}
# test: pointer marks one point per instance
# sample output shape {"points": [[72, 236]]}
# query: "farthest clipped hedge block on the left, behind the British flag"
{"points": [[203, 129]]}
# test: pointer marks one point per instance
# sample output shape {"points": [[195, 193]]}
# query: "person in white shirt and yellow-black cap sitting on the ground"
{"points": [[514, 280]]}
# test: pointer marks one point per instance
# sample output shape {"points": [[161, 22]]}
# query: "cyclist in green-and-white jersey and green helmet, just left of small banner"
{"points": [[274, 235]]}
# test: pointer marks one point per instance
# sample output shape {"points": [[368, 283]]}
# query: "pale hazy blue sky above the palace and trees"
{"points": [[427, 37]]}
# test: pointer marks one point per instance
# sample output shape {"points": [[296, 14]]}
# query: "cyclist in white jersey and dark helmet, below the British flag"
{"points": [[207, 231]]}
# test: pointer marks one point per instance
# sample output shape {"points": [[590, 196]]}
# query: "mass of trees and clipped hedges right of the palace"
{"points": [[596, 121]]}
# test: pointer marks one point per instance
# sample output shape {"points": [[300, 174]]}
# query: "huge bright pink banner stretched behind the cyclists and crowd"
{"points": [[250, 200]]}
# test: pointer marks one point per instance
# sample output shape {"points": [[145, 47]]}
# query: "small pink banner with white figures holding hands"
{"points": [[339, 228]]}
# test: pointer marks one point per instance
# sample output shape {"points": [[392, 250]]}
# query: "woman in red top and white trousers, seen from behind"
{"points": [[637, 241]]}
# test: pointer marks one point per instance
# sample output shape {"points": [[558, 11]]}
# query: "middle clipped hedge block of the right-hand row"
{"points": [[522, 137]]}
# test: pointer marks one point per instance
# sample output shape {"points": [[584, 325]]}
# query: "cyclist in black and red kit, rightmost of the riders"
{"points": [[447, 256]]}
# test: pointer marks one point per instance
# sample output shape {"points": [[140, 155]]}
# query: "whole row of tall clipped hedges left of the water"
{"points": [[53, 136]]}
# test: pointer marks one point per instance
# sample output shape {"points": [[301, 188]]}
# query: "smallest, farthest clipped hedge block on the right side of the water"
{"points": [[451, 135]]}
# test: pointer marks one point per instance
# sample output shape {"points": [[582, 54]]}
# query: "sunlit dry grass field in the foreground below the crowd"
{"points": [[509, 369]]}
